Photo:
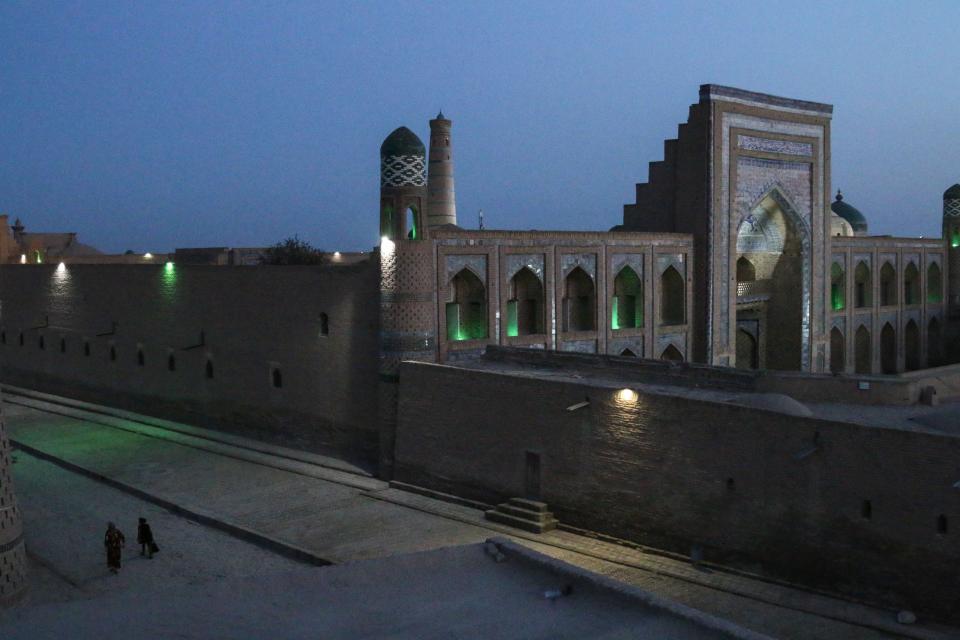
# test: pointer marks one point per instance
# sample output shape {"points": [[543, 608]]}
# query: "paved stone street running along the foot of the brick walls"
{"points": [[318, 508]]}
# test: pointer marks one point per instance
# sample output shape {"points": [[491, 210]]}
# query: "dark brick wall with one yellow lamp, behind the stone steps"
{"points": [[669, 471]]}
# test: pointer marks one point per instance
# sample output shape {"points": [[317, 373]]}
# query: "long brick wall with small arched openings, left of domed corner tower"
{"points": [[272, 372]]}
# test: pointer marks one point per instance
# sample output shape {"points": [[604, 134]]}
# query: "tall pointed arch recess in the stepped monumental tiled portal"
{"points": [[772, 265]]}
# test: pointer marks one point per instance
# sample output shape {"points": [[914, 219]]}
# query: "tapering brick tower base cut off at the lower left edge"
{"points": [[13, 555]]}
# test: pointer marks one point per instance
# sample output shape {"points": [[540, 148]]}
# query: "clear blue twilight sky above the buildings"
{"points": [[154, 125]]}
